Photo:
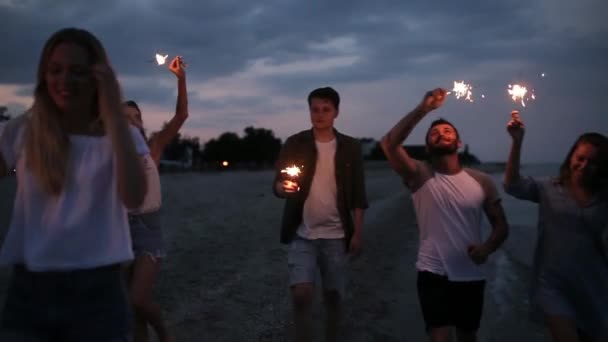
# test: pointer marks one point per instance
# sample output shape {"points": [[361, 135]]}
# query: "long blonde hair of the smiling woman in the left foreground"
{"points": [[46, 142]]}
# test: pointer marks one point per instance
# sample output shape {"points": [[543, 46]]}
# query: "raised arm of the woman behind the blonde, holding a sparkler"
{"points": [[163, 138]]}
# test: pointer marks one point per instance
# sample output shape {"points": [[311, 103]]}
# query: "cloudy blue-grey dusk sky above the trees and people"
{"points": [[254, 62]]}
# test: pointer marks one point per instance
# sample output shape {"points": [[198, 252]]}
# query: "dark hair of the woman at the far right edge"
{"points": [[600, 142]]}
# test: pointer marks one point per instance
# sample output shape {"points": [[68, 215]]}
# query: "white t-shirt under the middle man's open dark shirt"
{"points": [[320, 216]]}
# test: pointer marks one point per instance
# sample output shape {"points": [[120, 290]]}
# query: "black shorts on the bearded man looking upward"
{"points": [[450, 303]]}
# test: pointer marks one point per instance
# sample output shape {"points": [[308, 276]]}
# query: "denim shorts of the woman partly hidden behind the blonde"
{"points": [[147, 235]]}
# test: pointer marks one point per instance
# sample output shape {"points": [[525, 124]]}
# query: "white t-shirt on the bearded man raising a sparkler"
{"points": [[449, 211]]}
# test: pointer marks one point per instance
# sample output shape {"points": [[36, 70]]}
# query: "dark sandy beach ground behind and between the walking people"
{"points": [[225, 277]]}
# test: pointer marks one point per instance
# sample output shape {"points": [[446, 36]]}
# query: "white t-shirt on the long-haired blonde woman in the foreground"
{"points": [[85, 226]]}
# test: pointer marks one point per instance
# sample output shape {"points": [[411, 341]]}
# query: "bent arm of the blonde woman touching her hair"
{"points": [[129, 170]]}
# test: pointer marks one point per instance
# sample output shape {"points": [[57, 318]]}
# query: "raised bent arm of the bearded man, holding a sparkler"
{"points": [[392, 142]]}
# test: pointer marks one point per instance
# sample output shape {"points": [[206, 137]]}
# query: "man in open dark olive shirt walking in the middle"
{"points": [[323, 215]]}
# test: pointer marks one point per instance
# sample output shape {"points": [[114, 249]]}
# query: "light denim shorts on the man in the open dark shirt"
{"points": [[304, 257]]}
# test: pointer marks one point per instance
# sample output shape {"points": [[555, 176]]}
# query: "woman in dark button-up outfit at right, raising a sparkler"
{"points": [[570, 281]]}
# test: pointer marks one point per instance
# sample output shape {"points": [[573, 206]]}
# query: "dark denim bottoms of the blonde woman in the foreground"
{"points": [[82, 305]]}
